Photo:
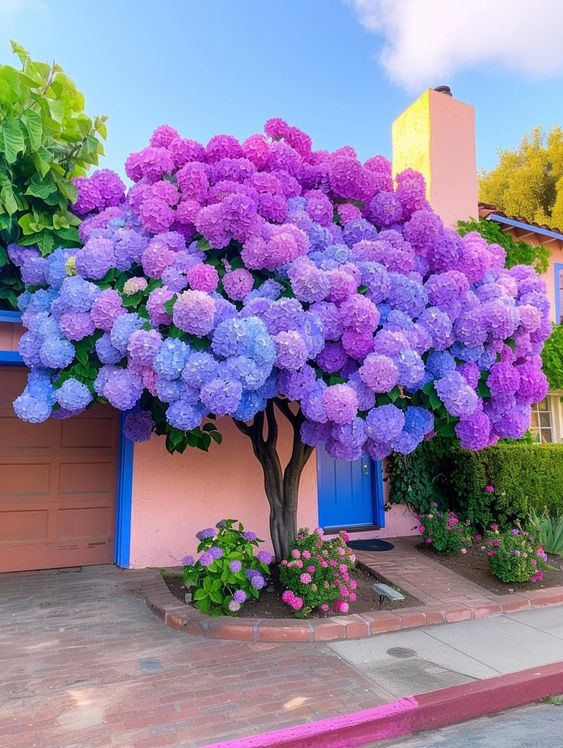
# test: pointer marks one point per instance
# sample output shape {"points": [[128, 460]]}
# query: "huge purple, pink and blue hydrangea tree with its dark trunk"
{"points": [[266, 279]]}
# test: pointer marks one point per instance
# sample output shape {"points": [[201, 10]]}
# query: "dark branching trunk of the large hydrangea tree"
{"points": [[281, 484]]}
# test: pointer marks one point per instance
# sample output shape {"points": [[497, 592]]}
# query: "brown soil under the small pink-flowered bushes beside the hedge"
{"points": [[474, 565]]}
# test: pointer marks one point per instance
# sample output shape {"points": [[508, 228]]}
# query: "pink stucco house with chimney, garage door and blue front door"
{"points": [[77, 492]]}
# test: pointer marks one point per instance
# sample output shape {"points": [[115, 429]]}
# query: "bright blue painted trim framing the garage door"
{"points": [[124, 492]]}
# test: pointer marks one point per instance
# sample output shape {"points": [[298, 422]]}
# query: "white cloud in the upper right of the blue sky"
{"points": [[428, 41]]}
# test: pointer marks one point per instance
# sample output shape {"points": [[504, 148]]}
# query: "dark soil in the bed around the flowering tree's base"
{"points": [[270, 605]]}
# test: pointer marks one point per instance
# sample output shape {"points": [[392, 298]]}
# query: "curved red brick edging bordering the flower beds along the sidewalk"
{"points": [[181, 617]]}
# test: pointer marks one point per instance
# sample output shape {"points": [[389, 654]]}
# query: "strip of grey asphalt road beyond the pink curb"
{"points": [[540, 725]]}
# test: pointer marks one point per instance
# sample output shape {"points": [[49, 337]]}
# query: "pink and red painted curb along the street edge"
{"points": [[414, 714]]}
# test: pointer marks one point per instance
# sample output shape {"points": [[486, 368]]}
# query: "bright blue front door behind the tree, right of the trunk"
{"points": [[350, 493]]}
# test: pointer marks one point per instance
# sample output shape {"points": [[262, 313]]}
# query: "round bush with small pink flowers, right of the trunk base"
{"points": [[316, 574]]}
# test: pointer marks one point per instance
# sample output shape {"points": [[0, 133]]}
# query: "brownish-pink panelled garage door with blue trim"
{"points": [[57, 485]]}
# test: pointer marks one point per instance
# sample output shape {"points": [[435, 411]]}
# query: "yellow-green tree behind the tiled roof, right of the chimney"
{"points": [[528, 181]]}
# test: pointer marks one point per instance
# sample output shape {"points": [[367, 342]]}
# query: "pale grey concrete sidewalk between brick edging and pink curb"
{"points": [[427, 659]]}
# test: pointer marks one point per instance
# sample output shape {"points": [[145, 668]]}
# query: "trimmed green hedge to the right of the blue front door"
{"points": [[525, 477]]}
